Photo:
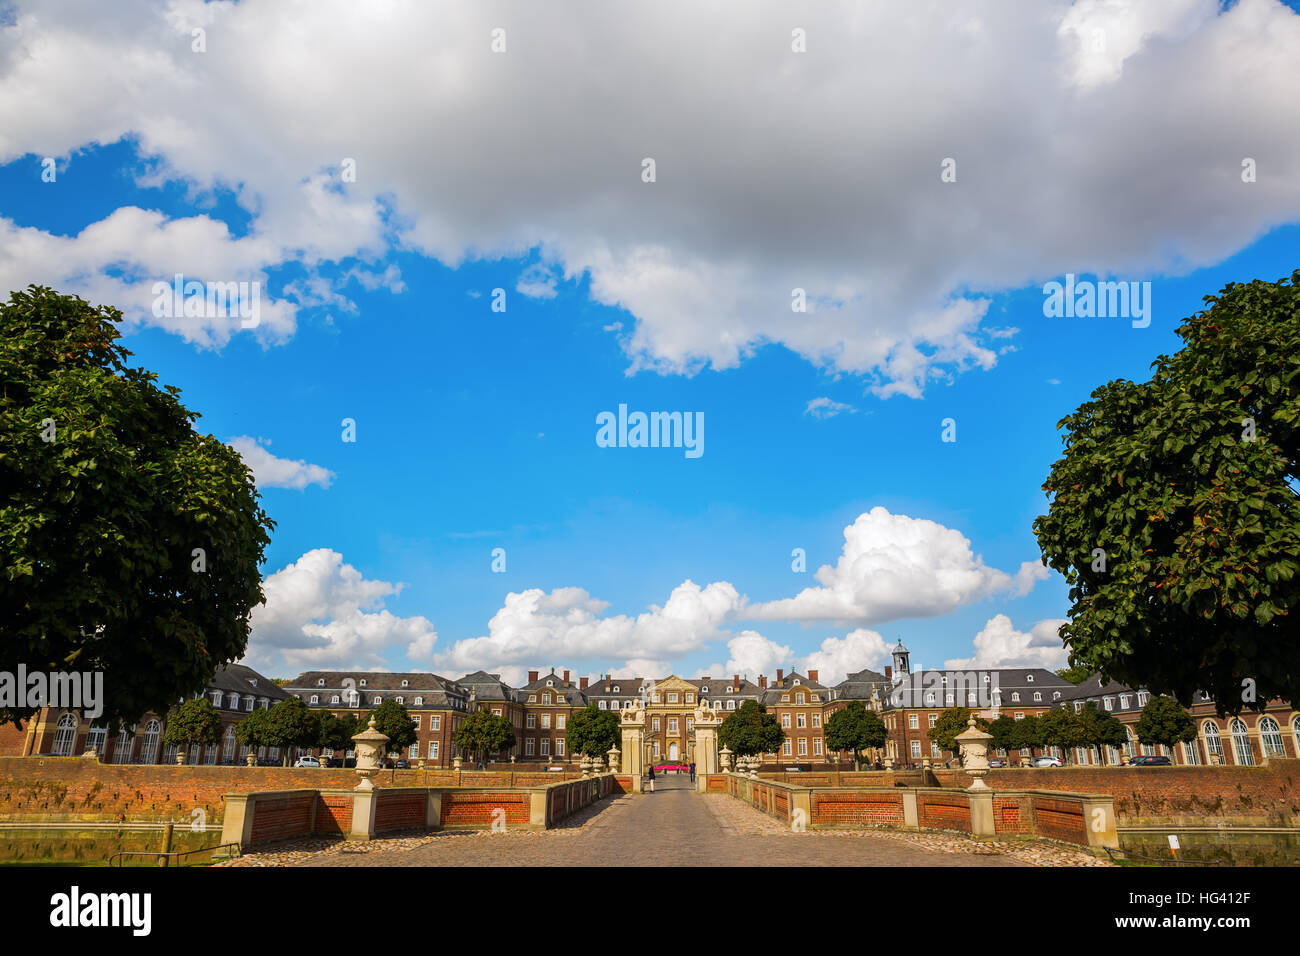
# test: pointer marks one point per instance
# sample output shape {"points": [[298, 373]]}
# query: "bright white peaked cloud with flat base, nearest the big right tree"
{"points": [[895, 566]]}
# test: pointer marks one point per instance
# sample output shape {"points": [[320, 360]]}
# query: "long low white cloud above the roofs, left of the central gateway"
{"points": [[569, 625]]}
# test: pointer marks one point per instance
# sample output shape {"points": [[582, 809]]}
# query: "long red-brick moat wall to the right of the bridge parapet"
{"points": [[1268, 794]]}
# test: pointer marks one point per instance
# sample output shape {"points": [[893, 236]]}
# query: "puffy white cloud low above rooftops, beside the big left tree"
{"points": [[324, 615]]}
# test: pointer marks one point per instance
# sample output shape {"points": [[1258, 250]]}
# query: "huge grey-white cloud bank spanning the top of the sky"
{"points": [[1115, 150]]}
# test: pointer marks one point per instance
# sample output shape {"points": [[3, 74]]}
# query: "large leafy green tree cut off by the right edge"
{"points": [[1173, 512]]}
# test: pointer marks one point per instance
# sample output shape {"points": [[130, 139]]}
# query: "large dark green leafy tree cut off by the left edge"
{"points": [[129, 543]]}
